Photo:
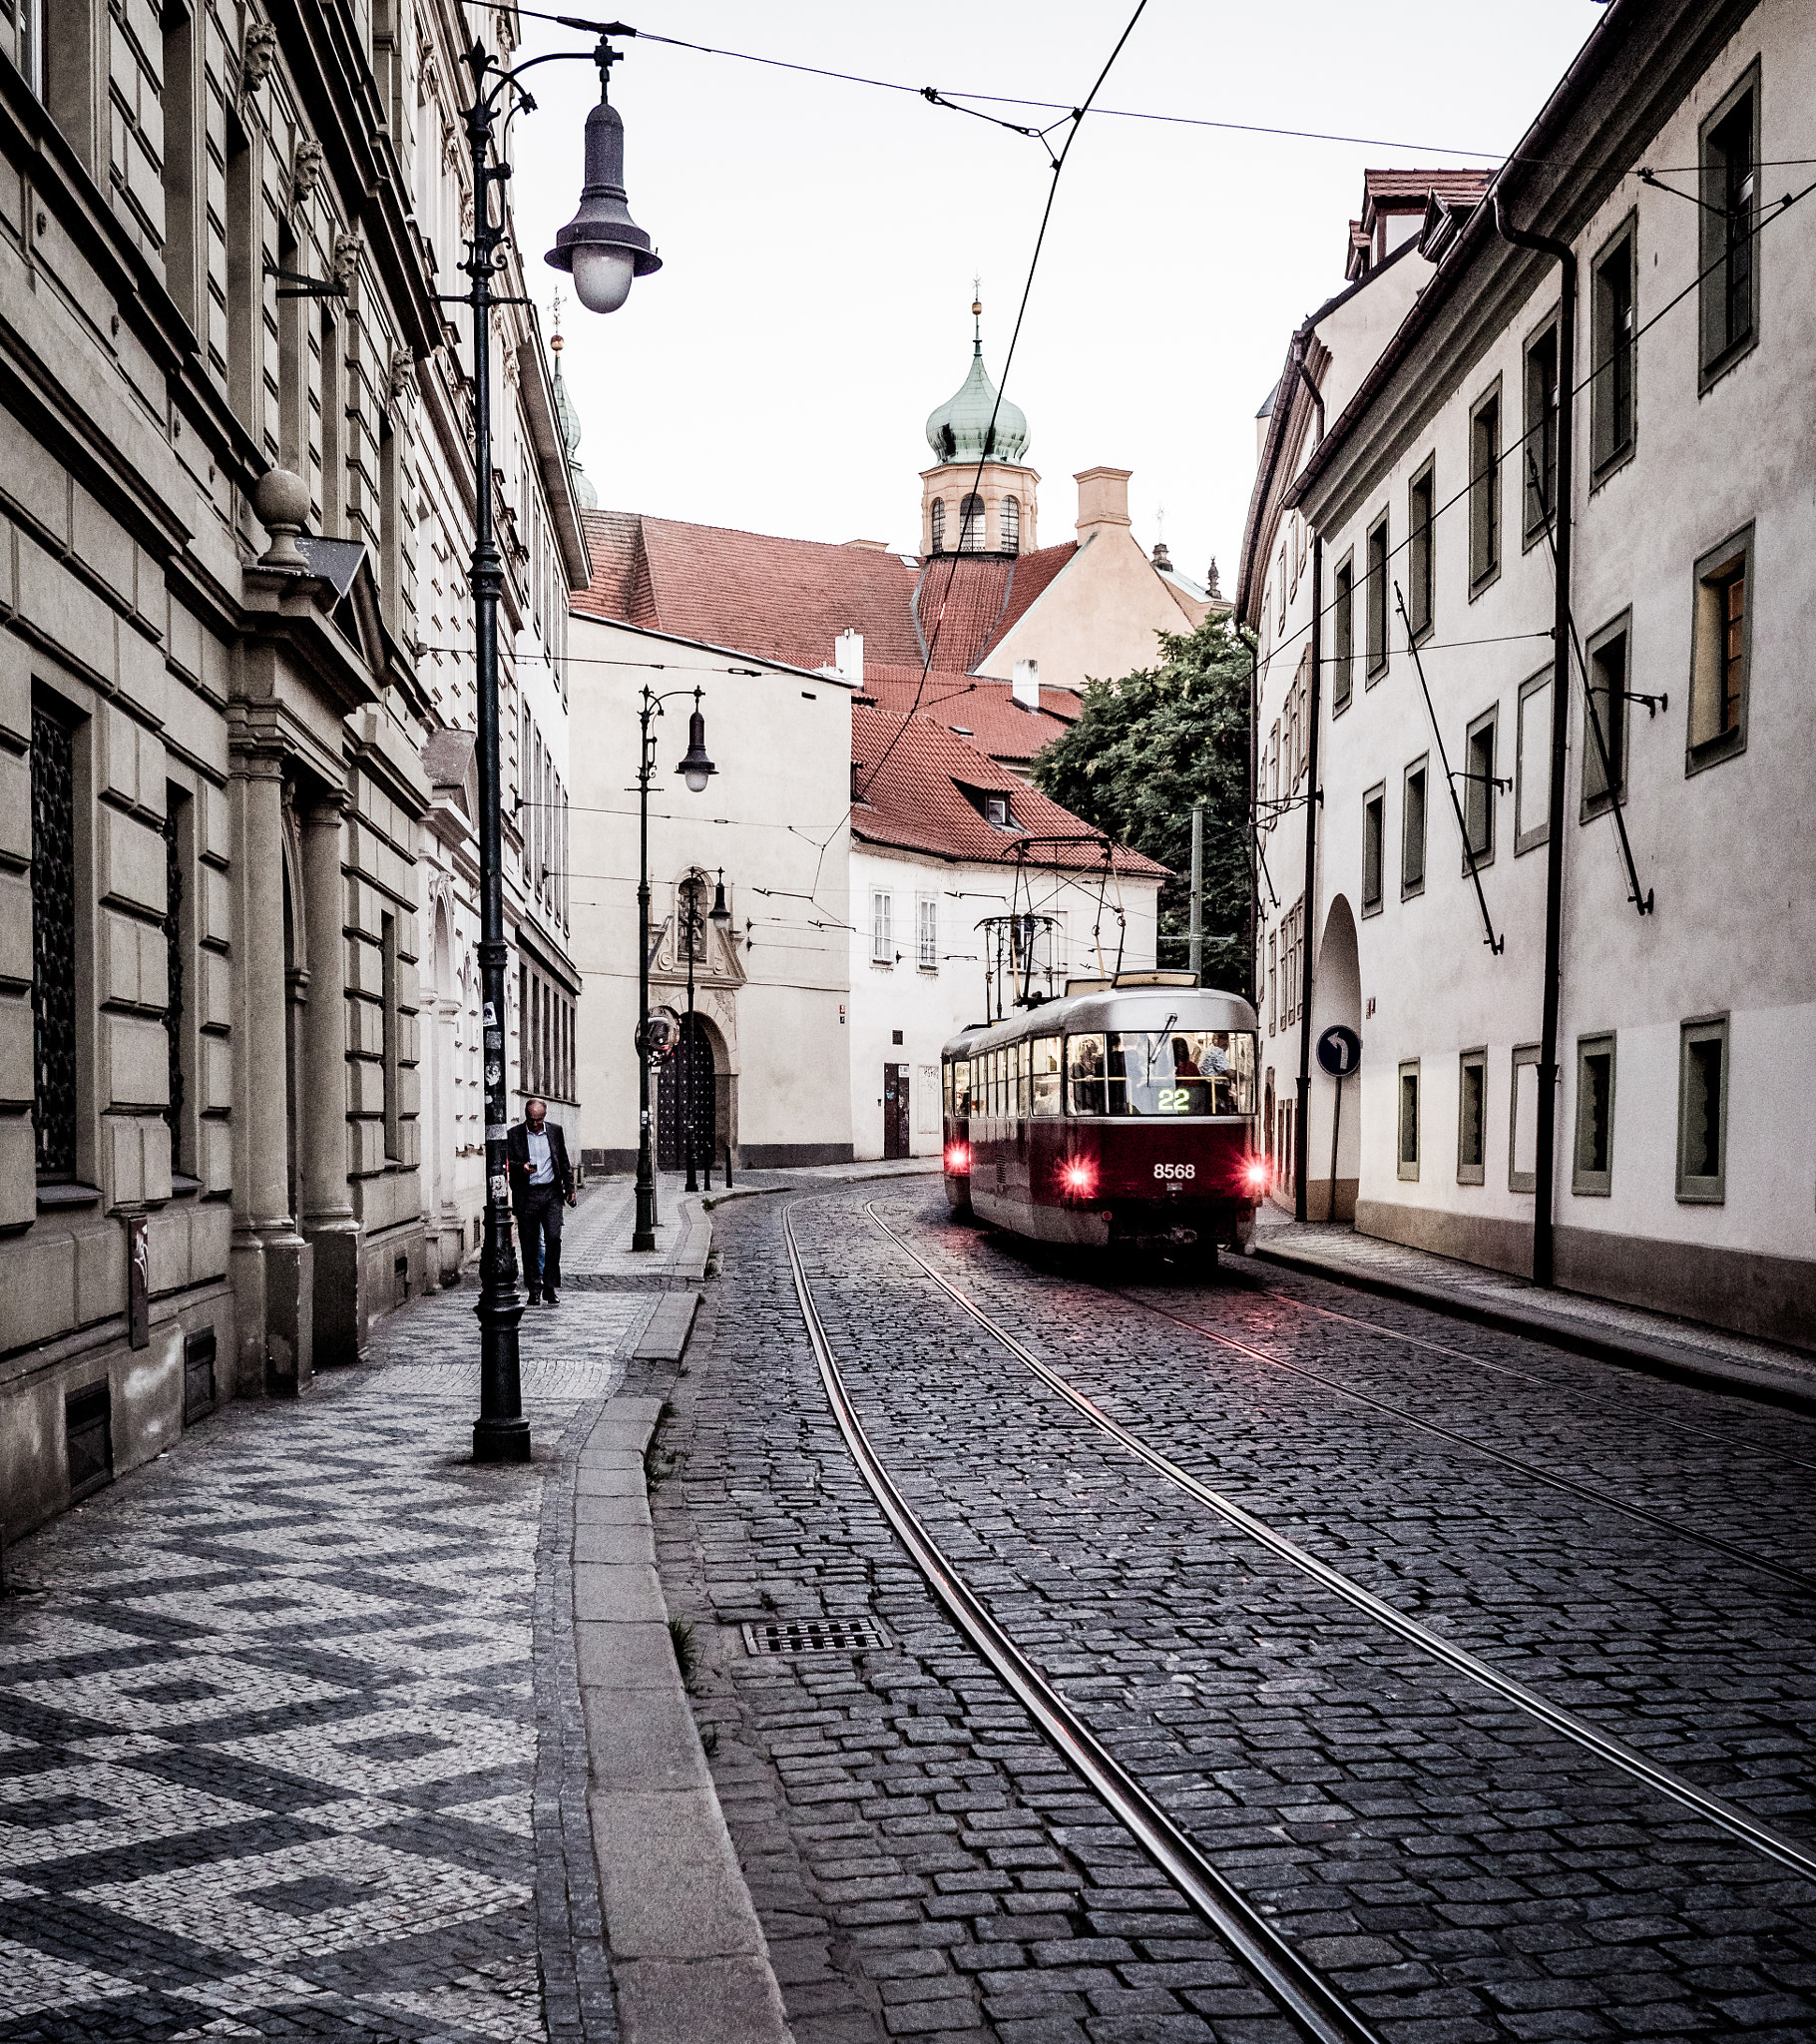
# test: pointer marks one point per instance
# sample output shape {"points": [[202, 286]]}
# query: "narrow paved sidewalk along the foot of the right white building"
{"points": [[1652, 1342]]}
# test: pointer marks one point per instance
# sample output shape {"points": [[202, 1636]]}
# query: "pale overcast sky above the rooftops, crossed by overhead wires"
{"points": [[820, 238]]}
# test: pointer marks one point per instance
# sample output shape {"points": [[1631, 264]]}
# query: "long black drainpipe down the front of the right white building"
{"points": [[1543, 1244]]}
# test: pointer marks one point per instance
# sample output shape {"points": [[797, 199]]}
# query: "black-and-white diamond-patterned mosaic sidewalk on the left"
{"points": [[271, 1720]]}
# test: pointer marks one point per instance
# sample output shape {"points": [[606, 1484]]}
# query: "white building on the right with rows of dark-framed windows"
{"points": [[1684, 1142]]}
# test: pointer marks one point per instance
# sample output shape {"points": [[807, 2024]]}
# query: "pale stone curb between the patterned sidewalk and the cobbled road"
{"points": [[687, 1951]]}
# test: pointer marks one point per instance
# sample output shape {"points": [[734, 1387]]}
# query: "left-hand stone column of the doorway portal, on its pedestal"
{"points": [[271, 1260]]}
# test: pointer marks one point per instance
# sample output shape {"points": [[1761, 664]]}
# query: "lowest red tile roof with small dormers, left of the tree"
{"points": [[908, 784]]}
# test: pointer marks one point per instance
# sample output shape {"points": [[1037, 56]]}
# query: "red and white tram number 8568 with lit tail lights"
{"points": [[1120, 1115]]}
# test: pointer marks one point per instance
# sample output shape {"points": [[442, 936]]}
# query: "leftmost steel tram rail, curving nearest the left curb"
{"points": [[1302, 1994]]}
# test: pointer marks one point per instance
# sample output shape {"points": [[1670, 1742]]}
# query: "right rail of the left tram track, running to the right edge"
{"points": [[1615, 1753]]}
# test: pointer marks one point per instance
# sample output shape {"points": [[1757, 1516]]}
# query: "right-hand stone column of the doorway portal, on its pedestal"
{"points": [[328, 1211]]}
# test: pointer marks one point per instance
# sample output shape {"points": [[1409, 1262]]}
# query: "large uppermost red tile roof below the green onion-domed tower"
{"points": [[790, 600]]}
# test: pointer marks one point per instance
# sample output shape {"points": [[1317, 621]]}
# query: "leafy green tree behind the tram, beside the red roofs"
{"points": [[1143, 753]]}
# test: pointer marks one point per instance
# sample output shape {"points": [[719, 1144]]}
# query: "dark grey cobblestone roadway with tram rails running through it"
{"points": [[926, 1867]]}
